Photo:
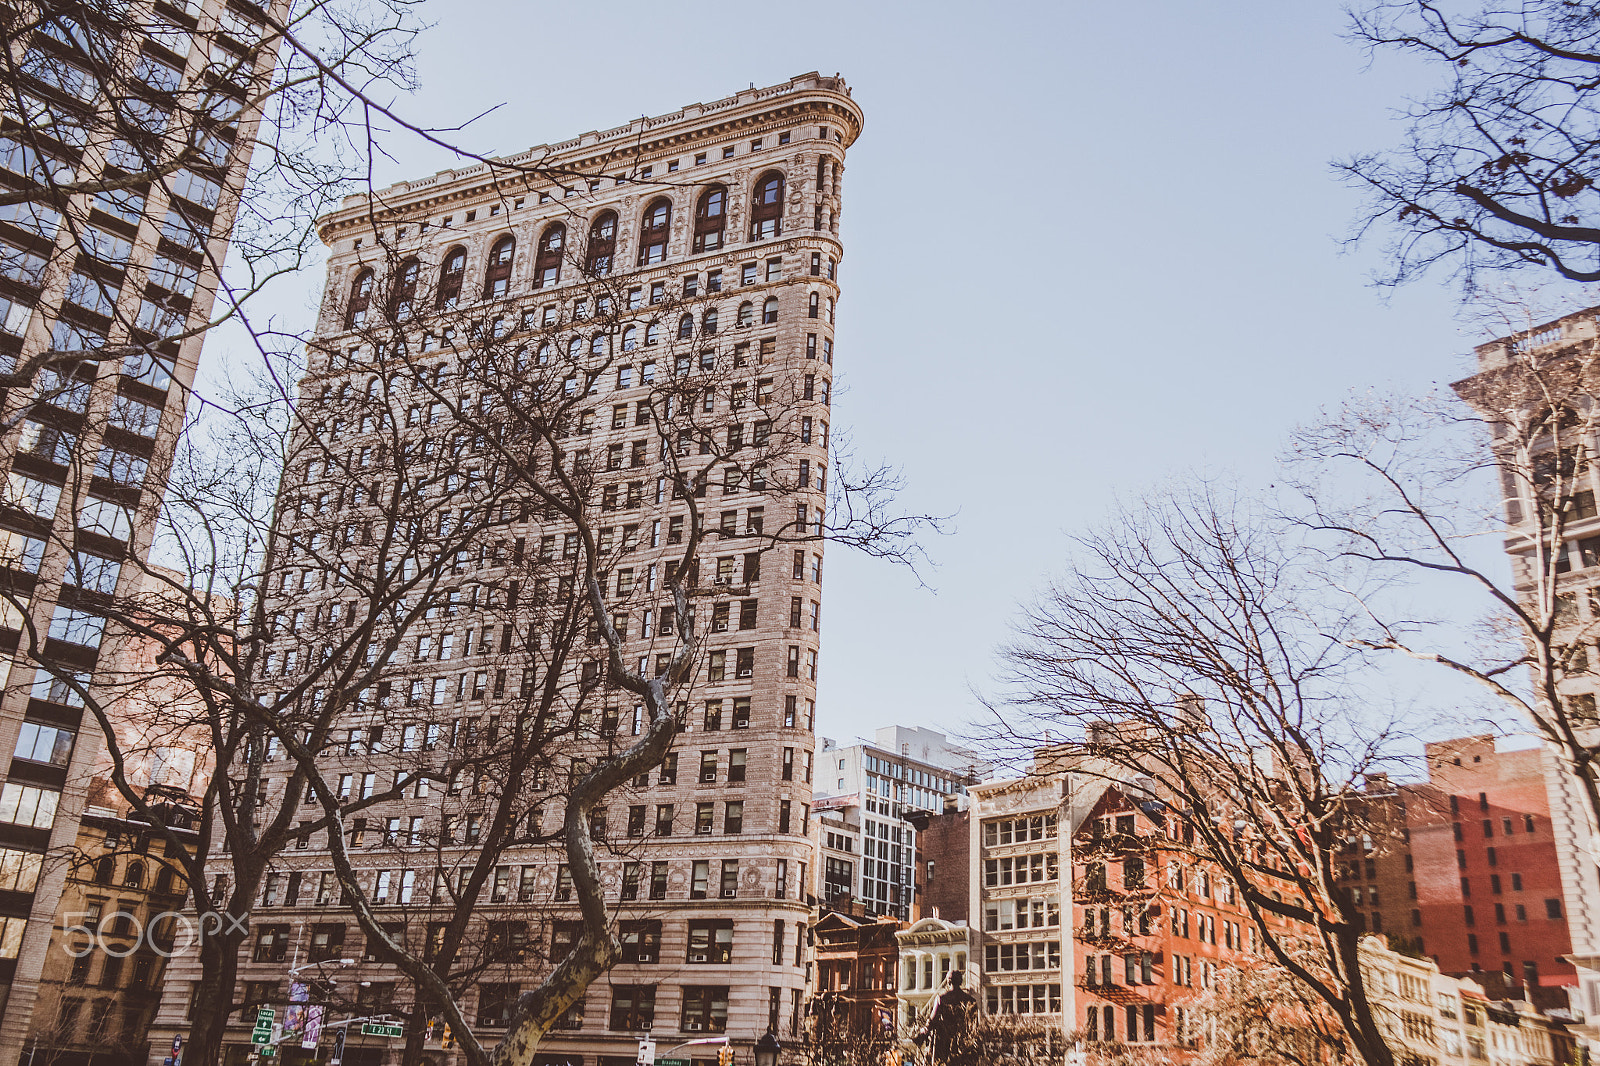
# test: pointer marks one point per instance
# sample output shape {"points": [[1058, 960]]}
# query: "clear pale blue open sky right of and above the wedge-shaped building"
{"points": [[1086, 247]]}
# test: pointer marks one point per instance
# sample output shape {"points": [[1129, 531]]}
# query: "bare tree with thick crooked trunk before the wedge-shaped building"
{"points": [[513, 403]]}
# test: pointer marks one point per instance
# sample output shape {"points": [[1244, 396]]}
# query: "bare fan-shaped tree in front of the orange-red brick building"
{"points": [[1201, 657]]}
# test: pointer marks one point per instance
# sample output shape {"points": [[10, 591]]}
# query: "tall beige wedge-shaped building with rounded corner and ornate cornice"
{"points": [[724, 214]]}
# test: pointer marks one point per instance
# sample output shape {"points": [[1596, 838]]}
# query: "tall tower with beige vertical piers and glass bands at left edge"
{"points": [[116, 286]]}
